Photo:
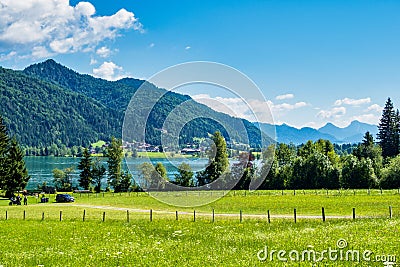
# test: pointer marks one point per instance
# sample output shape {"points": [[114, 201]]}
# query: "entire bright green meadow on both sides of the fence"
{"points": [[165, 241]]}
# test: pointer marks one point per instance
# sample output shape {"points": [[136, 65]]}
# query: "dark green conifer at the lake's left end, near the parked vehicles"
{"points": [[17, 176]]}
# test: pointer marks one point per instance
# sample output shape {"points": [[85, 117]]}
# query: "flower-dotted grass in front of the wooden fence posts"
{"points": [[184, 243]]}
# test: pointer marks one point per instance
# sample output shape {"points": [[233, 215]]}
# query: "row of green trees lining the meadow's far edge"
{"points": [[313, 165]]}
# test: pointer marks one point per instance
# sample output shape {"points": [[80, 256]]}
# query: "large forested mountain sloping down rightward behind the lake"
{"points": [[58, 105]]}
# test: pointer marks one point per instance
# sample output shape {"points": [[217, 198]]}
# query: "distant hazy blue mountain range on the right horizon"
{"points": [[353, 133]]}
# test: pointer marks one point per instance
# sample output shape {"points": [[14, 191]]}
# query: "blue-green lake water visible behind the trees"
{"points": [[40, 168]]}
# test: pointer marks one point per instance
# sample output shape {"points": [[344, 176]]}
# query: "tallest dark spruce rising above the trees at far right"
{"points": [[387, 134]]}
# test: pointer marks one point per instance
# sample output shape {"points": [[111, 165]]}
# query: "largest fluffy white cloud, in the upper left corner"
{"points": [[45, 27]]}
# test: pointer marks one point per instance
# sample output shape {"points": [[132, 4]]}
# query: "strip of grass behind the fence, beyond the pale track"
{"points": [[306, 203]]}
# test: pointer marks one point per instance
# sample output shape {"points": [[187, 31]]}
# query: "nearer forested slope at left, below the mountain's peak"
{"points": [[39, 113]]}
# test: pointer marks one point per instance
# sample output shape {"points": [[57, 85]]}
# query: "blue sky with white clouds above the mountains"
{"points": [[314, 61]]}
